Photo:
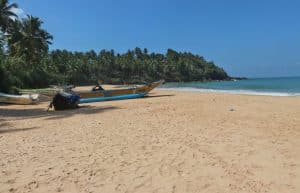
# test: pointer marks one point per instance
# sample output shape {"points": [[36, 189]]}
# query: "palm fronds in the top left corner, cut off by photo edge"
{"points": [[6, 15]]}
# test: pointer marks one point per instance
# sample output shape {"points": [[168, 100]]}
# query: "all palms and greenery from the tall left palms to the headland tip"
{"points": [[26, 62]]}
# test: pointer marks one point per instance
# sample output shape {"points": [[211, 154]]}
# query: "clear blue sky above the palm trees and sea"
{"points": [[257, 38]]}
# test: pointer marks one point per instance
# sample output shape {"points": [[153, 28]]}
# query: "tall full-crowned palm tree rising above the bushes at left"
{"points": [[29, 40]]}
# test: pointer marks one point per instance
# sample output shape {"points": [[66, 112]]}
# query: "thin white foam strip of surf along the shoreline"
{"points": [[243, 92]]}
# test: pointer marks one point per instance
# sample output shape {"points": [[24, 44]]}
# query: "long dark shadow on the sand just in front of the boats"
{"points": [[41, 112]]}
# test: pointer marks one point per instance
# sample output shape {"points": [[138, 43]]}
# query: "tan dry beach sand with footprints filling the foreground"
{"points": [[169, 142]]}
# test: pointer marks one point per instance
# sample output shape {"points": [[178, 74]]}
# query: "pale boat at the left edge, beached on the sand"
{"points": [[25, 99]]}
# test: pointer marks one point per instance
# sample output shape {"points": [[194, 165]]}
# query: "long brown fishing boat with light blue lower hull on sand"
{"points": [[117, 94]]}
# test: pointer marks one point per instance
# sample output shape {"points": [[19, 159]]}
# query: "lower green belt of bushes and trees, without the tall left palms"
{"points": [[82, 68]]}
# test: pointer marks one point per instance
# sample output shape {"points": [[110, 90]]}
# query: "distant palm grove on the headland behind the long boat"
{"points": [[134, 66]]}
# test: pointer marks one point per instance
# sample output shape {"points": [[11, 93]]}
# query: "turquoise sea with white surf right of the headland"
{"points": [[289, 86]]}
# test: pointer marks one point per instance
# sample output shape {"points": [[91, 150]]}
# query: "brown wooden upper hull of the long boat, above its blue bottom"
{"points": [[118, 92]]}
